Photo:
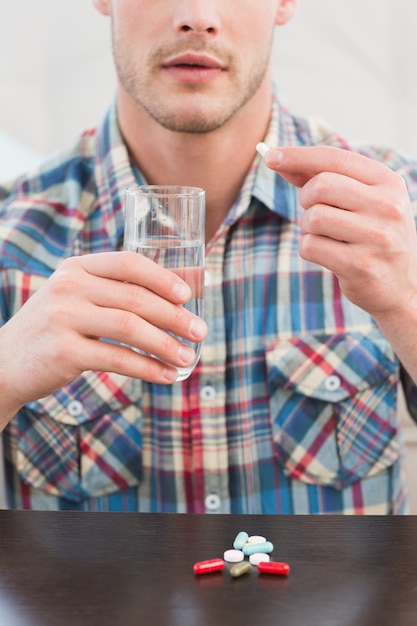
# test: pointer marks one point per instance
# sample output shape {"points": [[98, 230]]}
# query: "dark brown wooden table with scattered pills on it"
{"points": [[125, 569]]}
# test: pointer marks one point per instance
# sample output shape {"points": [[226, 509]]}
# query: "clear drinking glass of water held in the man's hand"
{"points": [[166, 224]]}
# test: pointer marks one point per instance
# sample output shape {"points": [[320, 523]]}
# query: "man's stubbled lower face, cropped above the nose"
{"points": [[191, 65]]}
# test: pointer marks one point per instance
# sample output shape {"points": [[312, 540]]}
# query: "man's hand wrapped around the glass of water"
{"points": [[120, 296]]}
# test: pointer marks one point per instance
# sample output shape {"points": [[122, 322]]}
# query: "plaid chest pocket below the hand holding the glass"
{"points": [[84, 440]]}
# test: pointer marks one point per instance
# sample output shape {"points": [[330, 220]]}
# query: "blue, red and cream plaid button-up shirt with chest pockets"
{"points": [[293, 406]]}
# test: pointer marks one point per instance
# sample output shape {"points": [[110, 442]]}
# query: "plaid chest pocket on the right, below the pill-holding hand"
{"points": [[333, 406]]}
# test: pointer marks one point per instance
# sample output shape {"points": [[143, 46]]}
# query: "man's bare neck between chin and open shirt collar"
{"points": [[217, 161]]}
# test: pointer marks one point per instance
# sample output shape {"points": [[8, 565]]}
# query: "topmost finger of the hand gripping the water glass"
{"points": [[133, 268]]}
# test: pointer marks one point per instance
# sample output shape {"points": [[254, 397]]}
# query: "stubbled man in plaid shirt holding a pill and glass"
{"points": [[311, 286]]}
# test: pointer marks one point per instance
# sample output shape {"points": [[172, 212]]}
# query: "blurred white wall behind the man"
{"points": [[352, 62]]}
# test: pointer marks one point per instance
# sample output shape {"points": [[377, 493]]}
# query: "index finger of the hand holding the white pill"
{"points": [[300, 164]]}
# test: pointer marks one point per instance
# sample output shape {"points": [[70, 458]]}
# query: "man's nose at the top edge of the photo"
{"points": [[197, 16]]}
